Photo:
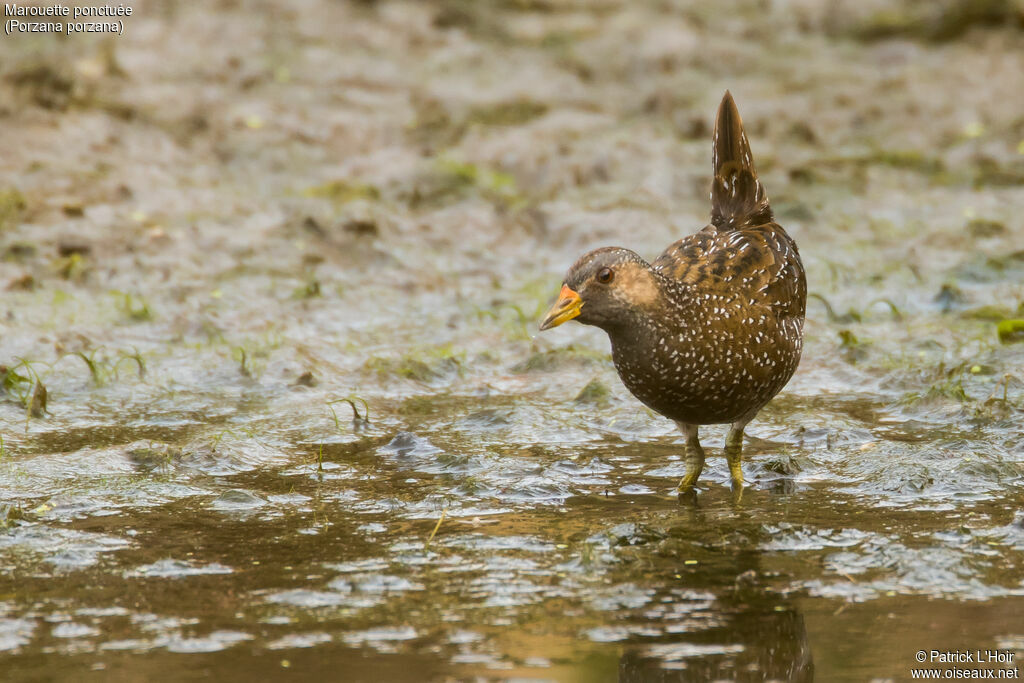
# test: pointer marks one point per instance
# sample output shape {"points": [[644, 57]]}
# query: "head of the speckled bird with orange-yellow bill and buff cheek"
{"points": [[606, 288]]}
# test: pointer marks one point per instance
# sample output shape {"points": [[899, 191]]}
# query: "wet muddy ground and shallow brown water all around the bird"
{"points": [[376, 203]]}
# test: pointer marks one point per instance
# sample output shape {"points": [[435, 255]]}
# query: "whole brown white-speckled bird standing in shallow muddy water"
{"points": [[713, 329]]}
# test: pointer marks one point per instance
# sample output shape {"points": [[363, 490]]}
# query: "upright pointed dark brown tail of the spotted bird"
{"points": [[737, 196]]}
